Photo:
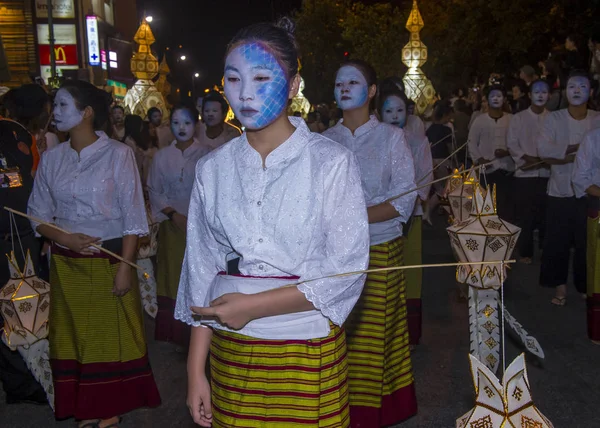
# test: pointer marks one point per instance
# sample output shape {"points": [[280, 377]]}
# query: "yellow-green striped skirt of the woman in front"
{"points": [[279, 383]]}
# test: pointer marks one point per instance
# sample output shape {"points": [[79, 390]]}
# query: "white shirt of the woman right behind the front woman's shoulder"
{"points": [[387, 170]]}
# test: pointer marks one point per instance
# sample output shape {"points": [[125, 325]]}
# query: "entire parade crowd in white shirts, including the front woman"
{"points": [[240, 236]]}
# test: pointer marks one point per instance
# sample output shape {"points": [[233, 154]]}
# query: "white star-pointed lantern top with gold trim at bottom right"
{"points": [[502, 405]]}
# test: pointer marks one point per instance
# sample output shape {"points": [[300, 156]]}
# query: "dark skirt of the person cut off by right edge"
{"points": [[593, 275]]}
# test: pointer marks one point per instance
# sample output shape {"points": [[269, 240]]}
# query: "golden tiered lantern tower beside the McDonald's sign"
{"points": [[144, 67]]}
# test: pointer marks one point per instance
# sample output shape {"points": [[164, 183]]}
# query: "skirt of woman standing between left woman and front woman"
{"points": [[169, 259]]}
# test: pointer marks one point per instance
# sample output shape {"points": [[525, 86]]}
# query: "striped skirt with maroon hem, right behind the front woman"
{"points": [[380, 375]]}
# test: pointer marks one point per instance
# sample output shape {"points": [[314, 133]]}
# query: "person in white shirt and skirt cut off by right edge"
{"points": [[586, 182]]}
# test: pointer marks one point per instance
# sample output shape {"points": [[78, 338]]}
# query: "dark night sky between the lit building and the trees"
{"points": [[203, 28]]}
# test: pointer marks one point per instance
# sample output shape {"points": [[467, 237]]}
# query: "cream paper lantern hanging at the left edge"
{"points": [[25, 304]]}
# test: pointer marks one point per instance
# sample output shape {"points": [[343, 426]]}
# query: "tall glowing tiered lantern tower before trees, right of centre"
{"points": [[414, 55]]}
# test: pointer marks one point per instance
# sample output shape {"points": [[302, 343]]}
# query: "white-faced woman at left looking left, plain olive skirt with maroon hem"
{"points": [[90, 186]]}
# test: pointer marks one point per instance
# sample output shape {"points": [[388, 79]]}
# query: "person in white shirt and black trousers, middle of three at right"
{"points": [[531, 176]]}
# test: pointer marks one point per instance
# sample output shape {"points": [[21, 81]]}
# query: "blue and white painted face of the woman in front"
{"points": [[255, 85]]}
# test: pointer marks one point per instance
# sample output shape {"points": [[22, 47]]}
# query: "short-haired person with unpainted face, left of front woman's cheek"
{"points": [[216, 131]]}
